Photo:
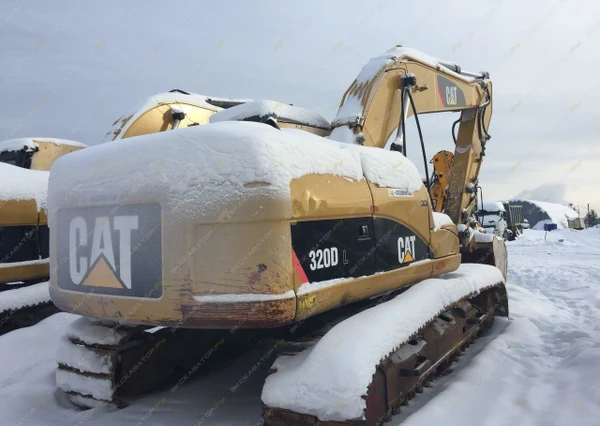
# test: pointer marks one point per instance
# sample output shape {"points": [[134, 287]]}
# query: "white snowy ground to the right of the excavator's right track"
{"points": [[540, 367]]}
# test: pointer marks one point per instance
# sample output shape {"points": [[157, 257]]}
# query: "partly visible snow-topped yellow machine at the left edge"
{"points": [[24, 236]]}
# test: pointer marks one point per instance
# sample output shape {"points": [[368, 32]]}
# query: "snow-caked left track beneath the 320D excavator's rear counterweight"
{"points": [[105, 363]]}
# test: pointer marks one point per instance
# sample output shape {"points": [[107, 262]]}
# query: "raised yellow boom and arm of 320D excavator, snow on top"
{"points": [[403, 83]]}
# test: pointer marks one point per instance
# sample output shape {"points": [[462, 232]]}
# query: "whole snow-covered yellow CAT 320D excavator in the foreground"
{"points": [[183, 248]]}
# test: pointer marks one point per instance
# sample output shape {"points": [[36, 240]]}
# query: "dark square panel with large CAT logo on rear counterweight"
{"points": [[113, 250]]}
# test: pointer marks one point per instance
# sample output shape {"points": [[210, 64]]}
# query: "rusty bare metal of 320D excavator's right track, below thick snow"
{"points": [[403, 373]]}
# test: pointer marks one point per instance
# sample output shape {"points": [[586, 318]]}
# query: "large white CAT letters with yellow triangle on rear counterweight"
{"points": [[99, 269]]}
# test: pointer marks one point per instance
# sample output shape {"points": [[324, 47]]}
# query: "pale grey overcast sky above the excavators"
{"points": [[68, 69]]}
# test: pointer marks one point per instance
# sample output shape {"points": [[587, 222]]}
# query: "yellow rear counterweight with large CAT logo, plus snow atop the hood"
{"points": [[190, 227]]}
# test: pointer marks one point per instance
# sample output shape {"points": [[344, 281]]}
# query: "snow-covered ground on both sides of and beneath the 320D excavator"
{"points": [[540, 367]]}
